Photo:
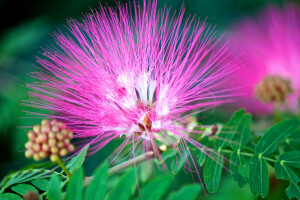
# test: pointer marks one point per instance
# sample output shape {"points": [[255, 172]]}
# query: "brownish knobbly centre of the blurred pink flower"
{"points": [[274, 89]]}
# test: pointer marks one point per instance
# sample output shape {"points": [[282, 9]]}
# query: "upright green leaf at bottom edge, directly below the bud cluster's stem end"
{"points": [[75, 186]]}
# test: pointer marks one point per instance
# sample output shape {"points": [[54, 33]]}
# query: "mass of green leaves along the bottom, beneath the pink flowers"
{"points": [[237, 147]]}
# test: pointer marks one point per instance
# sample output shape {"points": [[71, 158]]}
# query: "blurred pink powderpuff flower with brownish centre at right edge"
{"points": [[271, 60]]}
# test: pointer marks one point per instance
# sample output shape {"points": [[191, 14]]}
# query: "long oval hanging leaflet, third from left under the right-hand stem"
{"points": [[259, 176]]}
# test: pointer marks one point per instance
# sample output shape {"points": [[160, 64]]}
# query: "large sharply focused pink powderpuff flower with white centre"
{"points": [[135, 76]]}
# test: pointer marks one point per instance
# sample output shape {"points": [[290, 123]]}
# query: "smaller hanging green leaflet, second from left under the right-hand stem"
{"points": [[237, 165]]}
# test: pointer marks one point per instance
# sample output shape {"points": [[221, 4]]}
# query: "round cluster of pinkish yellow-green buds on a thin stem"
{"points": [[50, 139]]}
